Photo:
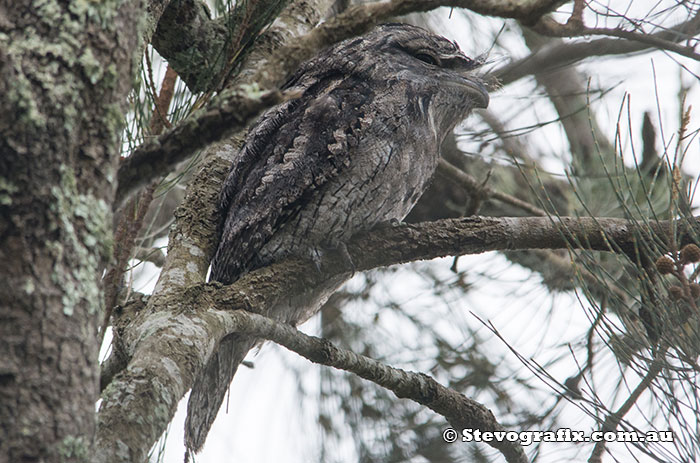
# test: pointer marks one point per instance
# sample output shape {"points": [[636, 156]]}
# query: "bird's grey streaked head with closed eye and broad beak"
{"points": [[421, 69]]}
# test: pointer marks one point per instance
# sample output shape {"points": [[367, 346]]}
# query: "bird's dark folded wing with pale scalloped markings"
{"points": [[288, 158]]}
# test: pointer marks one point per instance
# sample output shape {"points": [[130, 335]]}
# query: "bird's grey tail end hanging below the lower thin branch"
{"points": [[210, 388]]}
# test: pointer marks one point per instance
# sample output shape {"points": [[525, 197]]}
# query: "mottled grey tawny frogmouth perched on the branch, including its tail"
{"points": [[355, 148]]}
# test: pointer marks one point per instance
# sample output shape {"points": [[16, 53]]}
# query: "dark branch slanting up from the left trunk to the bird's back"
{"points": [[231, 111]]}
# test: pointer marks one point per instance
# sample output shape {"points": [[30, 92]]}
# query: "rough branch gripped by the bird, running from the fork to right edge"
{"points": [[390, 245]]}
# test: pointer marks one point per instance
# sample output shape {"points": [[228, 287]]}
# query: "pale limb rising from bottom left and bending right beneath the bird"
{"points": [[172, 341]]}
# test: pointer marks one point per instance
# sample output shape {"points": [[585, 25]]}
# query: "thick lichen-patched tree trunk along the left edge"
{"points": [[65, 70]]}
